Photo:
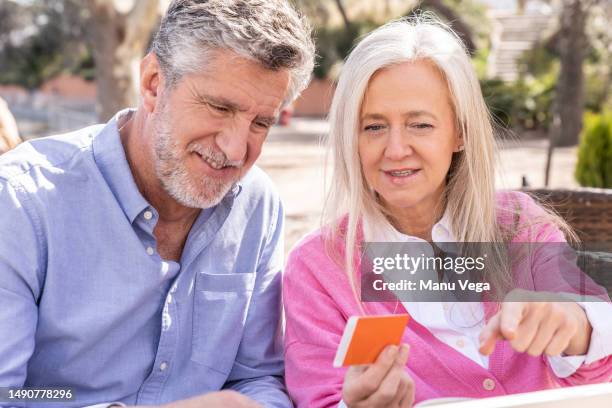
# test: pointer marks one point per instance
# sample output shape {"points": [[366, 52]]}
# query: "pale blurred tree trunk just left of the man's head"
{"points": [[120, 32]]}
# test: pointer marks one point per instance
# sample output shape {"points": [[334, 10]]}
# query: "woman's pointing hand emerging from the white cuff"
{"points": [[538, 327]]}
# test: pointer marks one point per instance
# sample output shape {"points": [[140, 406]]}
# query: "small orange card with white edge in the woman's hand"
{"points": [[366, 336]]}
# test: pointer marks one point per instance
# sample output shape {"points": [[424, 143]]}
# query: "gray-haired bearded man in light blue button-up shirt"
{"points": [[140, 260]]}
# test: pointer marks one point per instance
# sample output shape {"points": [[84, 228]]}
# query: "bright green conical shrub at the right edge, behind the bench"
{"points": [[594, 167]]}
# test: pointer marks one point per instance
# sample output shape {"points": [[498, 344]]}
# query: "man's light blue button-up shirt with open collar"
{"points": [[86, 302]]}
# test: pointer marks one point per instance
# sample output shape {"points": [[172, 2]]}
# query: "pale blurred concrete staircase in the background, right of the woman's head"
{"points": [[512, 35]]}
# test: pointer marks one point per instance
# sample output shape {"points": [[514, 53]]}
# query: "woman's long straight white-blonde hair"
{"points": [[469, 199]]}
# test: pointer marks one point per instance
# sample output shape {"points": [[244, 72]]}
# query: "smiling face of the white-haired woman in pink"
{"points": [[407, 135]]}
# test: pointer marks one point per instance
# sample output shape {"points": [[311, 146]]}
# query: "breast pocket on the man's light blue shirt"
{"points": [[220, 309]]}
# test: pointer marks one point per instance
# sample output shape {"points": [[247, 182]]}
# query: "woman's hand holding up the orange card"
{"points": [[382, 384]]}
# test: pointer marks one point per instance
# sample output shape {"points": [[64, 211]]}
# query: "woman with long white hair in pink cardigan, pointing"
{"points": [[413, 151]]}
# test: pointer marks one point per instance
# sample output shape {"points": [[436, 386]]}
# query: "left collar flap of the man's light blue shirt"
{"points": [[110, 158]]}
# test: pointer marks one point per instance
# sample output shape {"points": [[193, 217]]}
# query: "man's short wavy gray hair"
{"points": [[270, 32]]}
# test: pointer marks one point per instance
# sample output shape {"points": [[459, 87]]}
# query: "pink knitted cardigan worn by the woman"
{"points": [[318, 301]]}
